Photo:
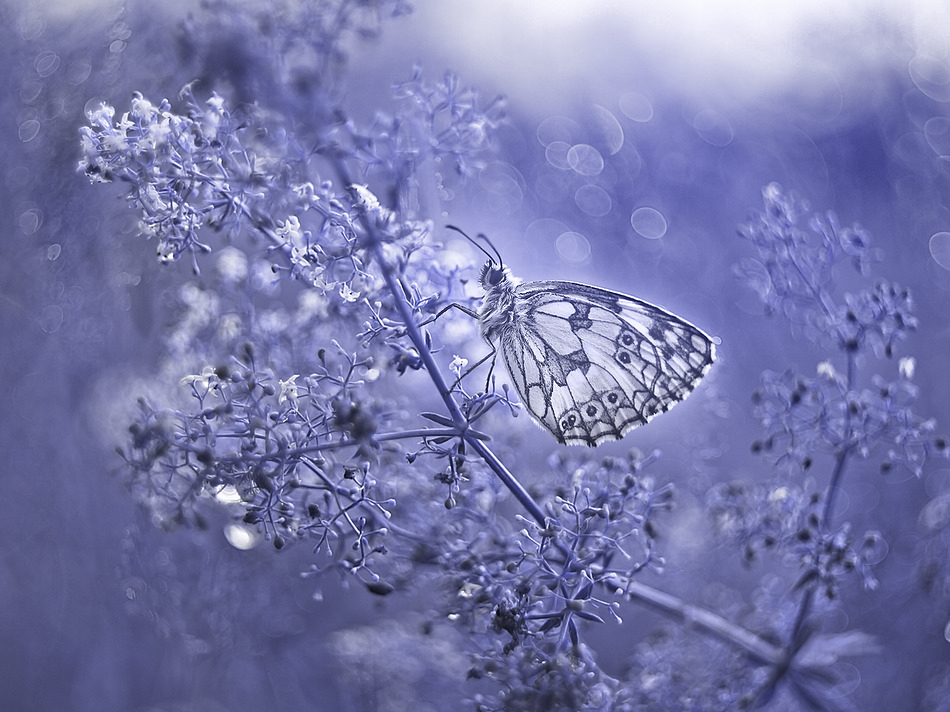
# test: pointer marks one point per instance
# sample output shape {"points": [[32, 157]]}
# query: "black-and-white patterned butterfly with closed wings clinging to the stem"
{"points": [[589, 364]]}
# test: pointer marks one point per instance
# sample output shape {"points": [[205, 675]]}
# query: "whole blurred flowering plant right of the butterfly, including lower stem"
{"points": [[838, 416]]}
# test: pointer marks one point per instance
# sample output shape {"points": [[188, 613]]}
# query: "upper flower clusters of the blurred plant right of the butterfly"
{"points": [[830, 412]]}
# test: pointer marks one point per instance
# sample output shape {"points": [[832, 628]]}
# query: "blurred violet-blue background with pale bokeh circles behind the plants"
{"points": [[850, 107]]}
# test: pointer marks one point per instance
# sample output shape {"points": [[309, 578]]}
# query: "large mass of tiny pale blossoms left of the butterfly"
{"points": [[282, 427]]}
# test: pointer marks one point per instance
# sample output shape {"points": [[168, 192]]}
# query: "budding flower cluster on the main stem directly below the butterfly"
{"points": [[599, 535]]}
